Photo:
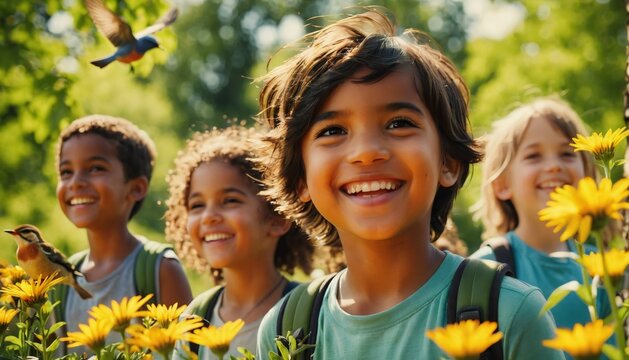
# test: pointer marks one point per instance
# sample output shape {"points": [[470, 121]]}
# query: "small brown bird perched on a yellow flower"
{"points": [[37, 257]]}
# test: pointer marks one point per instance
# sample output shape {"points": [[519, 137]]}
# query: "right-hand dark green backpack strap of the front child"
{"points": [[474, 295]]}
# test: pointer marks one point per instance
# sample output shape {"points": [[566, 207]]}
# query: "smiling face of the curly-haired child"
{"points": [[228, 223]]}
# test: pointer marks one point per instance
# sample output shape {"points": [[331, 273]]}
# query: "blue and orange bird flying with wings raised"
{"points": [[129, 47]]}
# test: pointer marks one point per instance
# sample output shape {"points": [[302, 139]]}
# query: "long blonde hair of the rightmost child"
{"points": [[501, 146]]}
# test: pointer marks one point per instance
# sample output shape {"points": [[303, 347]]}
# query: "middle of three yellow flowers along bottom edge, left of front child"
{"points": [[162, 339]]}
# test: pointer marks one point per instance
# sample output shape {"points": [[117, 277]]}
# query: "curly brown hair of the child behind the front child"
{"points": [[234, 146]]}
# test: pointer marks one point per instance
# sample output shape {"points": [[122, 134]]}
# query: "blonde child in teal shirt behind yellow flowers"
{"points": [[527, 156]]}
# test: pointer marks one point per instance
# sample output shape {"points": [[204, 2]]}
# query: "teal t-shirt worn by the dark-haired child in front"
{"points": [[399, 332]]}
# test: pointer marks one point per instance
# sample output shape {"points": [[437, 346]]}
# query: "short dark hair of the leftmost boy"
{"points": [[134, 147]]}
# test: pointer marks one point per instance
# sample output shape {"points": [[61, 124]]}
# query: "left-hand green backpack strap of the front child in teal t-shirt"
{"points": [[299, 312]]}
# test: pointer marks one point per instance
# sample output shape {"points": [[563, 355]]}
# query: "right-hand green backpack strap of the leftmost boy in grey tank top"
{"points": [[147, 268]]}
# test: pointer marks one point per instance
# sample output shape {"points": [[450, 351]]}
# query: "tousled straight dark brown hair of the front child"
{"points": [[293, 92]]}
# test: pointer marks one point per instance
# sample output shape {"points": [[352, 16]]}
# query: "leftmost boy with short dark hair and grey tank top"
{"points": [[105, 165]]}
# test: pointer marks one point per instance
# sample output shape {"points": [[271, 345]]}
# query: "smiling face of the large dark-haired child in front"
{"points": [[373, 159]]}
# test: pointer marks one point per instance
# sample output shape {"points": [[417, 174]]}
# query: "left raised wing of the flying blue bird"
{"points": [[110, 24]]}
